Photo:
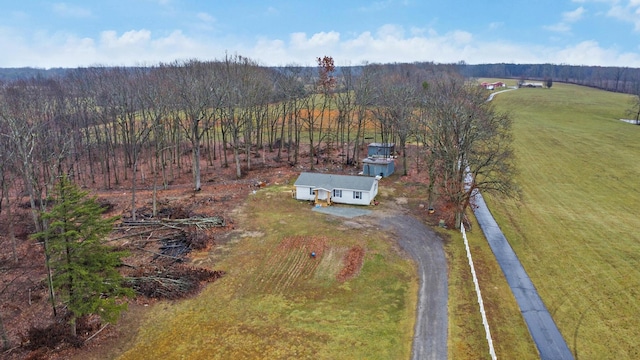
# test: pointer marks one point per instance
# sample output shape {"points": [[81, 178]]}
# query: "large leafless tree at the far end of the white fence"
{"points": [[470, 142]]}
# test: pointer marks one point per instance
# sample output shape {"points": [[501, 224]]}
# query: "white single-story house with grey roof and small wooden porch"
{"points": [[325, 189]]}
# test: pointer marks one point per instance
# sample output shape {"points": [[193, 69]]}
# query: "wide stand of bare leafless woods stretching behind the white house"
{"points": [[103, 125]]}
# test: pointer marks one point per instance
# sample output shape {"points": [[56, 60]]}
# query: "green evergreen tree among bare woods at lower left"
{"points": [[85, 271]]}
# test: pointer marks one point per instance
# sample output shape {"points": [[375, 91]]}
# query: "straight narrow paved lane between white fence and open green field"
{"points": [[543, 330]]}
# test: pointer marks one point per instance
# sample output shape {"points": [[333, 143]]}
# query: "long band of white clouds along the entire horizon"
{"points": [[386, 44]]}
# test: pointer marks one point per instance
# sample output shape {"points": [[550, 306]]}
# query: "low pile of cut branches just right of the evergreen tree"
{"points": [[171, 282]]}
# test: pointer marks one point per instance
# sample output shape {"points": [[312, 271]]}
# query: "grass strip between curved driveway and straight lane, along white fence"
{"points": [[466, 338]]}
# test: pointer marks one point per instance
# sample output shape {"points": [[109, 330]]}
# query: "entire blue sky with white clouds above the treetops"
{"points": [[144, 32]]}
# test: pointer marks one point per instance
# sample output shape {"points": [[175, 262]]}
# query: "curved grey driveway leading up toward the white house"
{"points": [[425, 247]]}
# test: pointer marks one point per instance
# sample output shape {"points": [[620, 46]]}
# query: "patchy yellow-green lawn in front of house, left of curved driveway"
{"points": [[277, 302]]}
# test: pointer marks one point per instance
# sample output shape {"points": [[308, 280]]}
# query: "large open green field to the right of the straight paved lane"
{"points": [[577, 229]]}
